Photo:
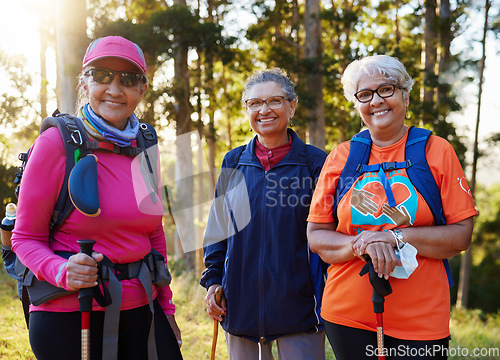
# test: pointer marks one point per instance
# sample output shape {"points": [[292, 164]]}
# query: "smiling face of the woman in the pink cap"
{"points": [[113, 102]]}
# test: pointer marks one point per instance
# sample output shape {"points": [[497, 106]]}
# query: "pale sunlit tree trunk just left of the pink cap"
{"points": [[70, 44]]}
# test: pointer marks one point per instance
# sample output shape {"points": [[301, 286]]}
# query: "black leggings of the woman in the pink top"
{"points": [[57, 335]]}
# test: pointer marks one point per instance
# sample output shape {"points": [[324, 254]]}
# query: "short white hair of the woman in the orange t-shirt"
{"points": [[383, 66]]}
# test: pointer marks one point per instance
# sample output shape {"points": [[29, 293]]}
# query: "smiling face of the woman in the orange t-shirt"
{"points": [[384, 117]]}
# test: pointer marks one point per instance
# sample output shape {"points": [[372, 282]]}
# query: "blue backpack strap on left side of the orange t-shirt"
{"points": [[359, 154]]}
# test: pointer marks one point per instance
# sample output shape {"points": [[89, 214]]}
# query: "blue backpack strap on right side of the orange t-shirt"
{"points": [[421, 177]]}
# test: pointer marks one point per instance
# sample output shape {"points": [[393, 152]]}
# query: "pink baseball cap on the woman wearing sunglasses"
{"points": [[115, 46]]}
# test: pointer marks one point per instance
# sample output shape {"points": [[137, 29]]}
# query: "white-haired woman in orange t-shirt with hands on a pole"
{"points": [[416, 317]]}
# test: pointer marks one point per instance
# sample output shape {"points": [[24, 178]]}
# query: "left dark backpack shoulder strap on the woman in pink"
{"points": [[74, 138]]}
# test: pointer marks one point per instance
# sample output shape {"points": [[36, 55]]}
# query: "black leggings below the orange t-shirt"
{"points": [[350, 343]]}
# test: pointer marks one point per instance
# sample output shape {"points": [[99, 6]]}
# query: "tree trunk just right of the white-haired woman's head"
{"points": [[429, 55]]}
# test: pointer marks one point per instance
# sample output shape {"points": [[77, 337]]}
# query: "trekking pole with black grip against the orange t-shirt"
{"points": [[381, 288]]}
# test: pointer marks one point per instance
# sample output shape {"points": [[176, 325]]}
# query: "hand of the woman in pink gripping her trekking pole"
{"points": [[81, 270]]}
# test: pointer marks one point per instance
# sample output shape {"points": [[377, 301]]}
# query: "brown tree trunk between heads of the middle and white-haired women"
{"points": [[314, 80]]}
